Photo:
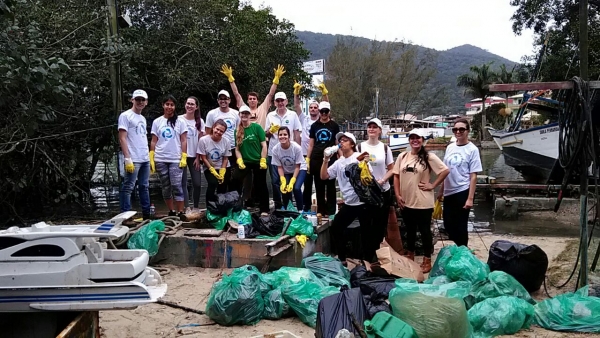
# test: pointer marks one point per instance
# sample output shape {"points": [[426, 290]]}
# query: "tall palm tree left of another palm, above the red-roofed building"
{"points": [[477, 83]]}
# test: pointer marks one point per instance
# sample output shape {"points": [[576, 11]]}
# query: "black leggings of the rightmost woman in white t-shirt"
{"points": [[456, 218]]}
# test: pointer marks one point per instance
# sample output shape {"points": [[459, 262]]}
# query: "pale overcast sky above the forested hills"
{"points": [[437, 24]]}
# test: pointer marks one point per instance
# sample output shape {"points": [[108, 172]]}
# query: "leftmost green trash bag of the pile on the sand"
{"points": [[236, 299]]}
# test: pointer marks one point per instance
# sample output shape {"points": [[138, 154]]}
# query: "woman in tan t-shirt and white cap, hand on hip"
{"points": [[414, 193]]}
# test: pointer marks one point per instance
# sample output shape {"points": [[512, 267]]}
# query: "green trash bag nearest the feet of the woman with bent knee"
{"points": [[330, 270]]}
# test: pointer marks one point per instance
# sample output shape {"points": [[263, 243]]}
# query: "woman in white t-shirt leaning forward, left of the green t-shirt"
{"points": [[214, 151]]}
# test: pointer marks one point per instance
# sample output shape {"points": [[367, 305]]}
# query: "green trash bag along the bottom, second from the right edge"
{"points": [[499, 316]]}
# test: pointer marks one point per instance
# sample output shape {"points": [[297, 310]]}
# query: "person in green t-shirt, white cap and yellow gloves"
{"points": [[251, 152]]}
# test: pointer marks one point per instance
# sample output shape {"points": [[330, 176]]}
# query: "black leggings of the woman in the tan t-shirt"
{"points": [[418, 219]]}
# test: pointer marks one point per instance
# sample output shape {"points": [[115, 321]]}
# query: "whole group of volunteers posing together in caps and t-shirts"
{"points": [[235, 148]]}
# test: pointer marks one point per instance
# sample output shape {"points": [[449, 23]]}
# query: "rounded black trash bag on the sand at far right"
{"points": [[526, 263]]}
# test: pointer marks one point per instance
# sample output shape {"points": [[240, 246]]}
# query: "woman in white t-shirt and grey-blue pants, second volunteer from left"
{"points": [[168, 154]]}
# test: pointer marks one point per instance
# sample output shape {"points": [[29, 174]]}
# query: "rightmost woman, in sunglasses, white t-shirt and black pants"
{"points": [[458, 189]]}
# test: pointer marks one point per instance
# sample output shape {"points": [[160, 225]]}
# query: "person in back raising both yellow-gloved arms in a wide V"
{"points": [[258, 114]]}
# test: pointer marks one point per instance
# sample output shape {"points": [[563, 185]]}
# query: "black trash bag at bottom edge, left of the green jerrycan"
{"points": [[336, 312]]}
